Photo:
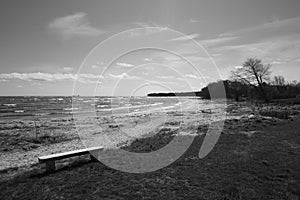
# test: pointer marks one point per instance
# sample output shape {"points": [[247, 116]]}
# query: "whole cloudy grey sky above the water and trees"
{"points": [[133, 47]]}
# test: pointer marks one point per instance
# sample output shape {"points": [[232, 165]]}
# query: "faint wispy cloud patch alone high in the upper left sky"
{"points": [[77, 24]]}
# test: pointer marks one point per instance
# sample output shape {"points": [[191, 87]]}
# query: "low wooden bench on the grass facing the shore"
{"points": [[50, 160]]}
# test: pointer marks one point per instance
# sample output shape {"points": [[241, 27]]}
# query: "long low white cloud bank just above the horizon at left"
{"points": [[47, 77]]}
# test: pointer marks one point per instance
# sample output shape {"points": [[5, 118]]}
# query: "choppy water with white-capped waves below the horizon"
{"points": [[57, 106]]}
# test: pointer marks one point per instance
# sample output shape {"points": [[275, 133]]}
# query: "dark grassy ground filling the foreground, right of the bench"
{"points": [[256, 157]]}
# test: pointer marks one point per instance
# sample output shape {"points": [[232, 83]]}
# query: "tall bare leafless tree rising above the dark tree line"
{"points": [[254, 73]]}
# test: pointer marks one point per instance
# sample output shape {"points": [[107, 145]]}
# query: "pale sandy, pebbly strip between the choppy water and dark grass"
{"points": [[20, 146]]}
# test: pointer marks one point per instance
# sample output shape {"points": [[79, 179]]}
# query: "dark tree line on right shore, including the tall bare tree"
{"points": [[253, 80]]}
